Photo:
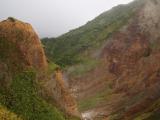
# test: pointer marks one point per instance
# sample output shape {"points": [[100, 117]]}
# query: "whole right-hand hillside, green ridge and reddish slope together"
{"points": [[114, 77]]}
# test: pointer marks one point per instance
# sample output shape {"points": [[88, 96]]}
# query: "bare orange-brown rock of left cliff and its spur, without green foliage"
{"points": [[21, 50]]}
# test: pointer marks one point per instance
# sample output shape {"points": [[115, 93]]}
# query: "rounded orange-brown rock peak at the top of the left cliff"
{"points": [[21, 38]]}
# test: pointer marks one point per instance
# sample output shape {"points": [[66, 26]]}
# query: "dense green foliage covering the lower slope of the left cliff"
{"points": [[23, 100]]}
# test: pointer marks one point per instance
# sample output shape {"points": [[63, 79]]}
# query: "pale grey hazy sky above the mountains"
{"points": [[52, 18]]}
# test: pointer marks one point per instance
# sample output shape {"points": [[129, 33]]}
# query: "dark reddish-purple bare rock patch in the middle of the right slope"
{"points": [[123, 52]]}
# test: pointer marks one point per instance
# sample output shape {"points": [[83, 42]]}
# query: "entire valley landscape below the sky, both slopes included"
{"points": [[107, 69]]}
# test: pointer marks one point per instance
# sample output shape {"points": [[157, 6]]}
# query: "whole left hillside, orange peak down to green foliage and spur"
{"points": [[24, 75]]}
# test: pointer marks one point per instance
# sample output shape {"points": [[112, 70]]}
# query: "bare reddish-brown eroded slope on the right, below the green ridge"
{"points": [[129, 70]]}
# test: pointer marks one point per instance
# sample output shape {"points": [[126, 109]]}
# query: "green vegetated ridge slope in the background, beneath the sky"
{"points": [[77, 45]]}
